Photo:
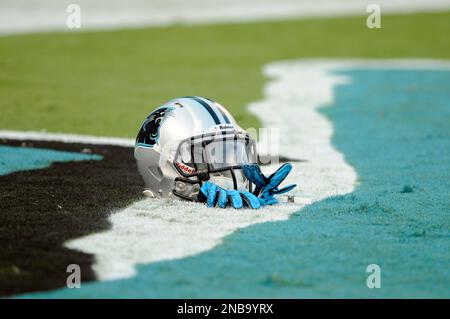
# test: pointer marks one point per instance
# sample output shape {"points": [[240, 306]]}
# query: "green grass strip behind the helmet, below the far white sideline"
{"points": [[105, 83]]}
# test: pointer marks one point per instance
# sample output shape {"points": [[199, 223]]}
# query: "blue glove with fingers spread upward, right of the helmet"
{"points": [[267, 187]]}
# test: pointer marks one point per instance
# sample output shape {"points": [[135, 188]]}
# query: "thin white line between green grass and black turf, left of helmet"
{"points": [[66, 138]]}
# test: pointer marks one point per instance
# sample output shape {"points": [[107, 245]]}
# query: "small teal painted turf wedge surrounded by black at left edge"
{"points": [[13, 159]]}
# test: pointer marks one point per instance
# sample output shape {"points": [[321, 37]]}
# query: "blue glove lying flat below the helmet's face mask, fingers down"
{"points": [[214, 195]]}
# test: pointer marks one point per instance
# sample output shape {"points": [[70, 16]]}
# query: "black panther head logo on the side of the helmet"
{"points": [[149, 133]]}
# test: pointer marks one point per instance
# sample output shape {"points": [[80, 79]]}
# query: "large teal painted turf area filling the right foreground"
{"points": [[394, 127]]}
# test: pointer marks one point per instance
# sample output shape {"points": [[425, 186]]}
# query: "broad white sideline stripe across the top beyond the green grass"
{"points": [[50, 15]]}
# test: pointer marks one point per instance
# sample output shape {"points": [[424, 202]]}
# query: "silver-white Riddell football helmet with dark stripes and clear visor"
{"points": [[187, 141]]}
